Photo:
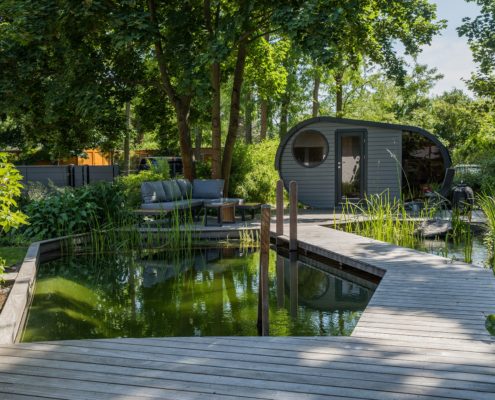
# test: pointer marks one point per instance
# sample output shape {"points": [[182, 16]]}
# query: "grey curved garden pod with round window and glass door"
{"points": [[335, 159]]}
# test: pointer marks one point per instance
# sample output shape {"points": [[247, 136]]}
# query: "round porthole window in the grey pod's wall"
{"points": [[310, 148]]}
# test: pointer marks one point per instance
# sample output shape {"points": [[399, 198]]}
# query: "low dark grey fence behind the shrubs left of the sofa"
{"points": [[67, 175]]}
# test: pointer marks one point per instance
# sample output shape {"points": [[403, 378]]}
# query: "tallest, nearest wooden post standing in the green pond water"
{"points": [[263, 322]]}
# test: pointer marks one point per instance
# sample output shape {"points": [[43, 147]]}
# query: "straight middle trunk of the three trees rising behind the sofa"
{"points": [[216, 127]]}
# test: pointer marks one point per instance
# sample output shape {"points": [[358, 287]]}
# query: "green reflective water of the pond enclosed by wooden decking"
{"points": [[201, 293]]}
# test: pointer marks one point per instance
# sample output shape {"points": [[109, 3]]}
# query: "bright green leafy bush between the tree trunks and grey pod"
{"points": [[254, 177]]}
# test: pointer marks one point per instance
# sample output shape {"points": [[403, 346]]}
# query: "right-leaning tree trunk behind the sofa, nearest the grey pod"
{"points": [[228, 151]]}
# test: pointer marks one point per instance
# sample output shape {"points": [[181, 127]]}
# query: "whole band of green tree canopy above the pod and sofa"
{"points": [[83, 74]]}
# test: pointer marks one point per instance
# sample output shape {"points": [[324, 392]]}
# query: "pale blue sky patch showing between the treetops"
{"points": [[448, 52]]}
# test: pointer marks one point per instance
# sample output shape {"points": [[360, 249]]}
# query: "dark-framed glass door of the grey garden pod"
{"points": [[350, 165]]}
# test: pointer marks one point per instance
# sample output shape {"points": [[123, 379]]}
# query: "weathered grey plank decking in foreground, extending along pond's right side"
{"points": [[421, 336]]}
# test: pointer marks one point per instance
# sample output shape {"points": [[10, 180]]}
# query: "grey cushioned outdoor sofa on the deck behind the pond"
{"points": [[181, 194]]}
